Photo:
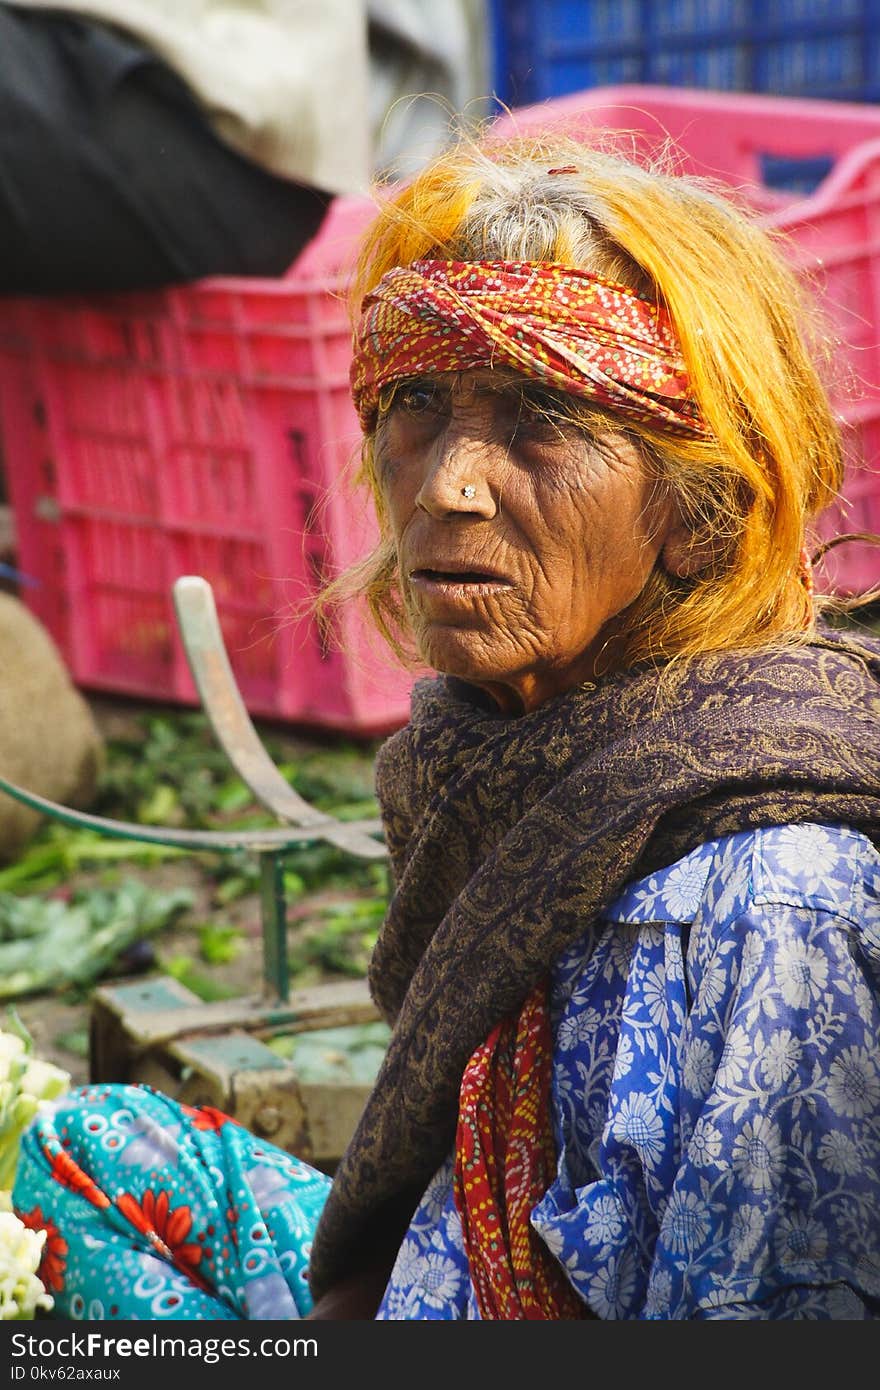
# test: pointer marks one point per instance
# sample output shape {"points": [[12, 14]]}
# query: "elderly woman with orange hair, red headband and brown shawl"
{"points": [[633, 953]]}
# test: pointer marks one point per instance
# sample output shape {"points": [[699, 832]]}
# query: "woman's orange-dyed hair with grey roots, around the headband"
{"points": [[775, 458]]}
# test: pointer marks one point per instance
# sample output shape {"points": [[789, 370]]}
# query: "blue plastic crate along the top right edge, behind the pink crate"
{"points": [[826, 49]]}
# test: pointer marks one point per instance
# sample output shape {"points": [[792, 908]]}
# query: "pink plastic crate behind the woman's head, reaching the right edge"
{"points": [[833, 237]]}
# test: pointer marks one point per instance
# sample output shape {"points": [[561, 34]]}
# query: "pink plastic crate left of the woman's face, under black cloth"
{"points": [[205, 430]]}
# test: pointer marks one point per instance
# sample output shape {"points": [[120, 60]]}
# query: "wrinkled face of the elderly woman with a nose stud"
{"points": [[518, 584]]}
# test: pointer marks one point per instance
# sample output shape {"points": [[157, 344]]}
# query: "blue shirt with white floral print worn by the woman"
{"points": [[717, 1097]]}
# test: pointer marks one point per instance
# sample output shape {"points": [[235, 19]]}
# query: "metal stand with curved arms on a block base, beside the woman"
{"points": [[156, 1032]]}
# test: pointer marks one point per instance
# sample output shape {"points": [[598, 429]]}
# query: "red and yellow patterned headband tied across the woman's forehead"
{"points": [[578, 332]]}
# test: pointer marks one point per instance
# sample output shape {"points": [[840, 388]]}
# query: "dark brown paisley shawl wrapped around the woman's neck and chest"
{"points": [[508, 837]]}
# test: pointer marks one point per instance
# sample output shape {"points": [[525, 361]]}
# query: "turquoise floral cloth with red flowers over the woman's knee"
{"points": [[159, 1211]]}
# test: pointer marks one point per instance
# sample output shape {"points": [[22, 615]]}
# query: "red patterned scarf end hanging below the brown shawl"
{"points": [[504, 1164]]}
